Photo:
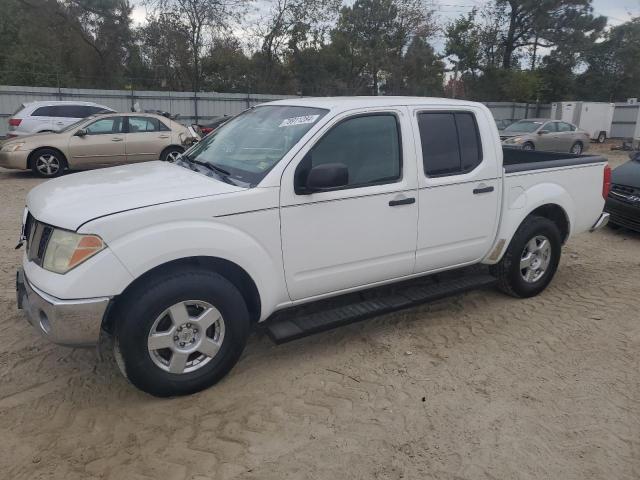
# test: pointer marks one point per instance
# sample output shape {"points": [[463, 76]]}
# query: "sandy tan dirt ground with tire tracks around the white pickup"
{"points": [[480, 386]]}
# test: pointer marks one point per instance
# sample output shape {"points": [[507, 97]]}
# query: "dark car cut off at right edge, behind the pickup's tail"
{"points": [[623, 203]]}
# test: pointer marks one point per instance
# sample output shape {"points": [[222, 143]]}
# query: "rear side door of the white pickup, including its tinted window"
{"points": [[459, 184]]}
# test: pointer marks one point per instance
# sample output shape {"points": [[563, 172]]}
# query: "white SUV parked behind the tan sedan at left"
{"points": [[38, 117]]}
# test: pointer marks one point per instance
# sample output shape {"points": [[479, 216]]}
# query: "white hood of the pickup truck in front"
{"points": [[72, 200]]}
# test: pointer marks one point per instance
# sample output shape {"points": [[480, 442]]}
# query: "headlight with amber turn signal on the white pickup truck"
{"points": [[66, 250]]}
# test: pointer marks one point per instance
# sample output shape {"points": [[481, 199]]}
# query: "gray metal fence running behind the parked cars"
{"points": [[199, 107]]}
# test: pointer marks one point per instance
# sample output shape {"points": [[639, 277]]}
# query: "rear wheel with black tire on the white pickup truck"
{"points": [[509, 271]]}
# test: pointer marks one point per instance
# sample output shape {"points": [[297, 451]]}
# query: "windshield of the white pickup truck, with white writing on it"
{"points": [[249, 145]]}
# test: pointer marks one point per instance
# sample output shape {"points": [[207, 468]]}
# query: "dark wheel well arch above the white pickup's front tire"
{"points": [[229, 270]]}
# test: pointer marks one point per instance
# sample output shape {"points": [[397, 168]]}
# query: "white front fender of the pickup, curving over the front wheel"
{"points": [[144, 249]]}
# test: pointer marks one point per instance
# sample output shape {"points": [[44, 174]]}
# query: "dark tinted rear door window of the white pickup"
{"points": [[450, 143]]}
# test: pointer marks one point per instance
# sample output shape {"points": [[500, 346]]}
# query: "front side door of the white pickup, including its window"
{"points": [[365, 231]]}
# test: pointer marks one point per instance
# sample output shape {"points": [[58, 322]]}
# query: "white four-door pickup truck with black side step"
{"points": [[289, 203]]}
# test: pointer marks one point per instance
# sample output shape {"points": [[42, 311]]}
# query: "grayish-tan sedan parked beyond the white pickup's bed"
{"points": [[546, 135]]}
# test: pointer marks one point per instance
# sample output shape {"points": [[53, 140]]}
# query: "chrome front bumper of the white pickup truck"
{"points": [[74, 323]]}
